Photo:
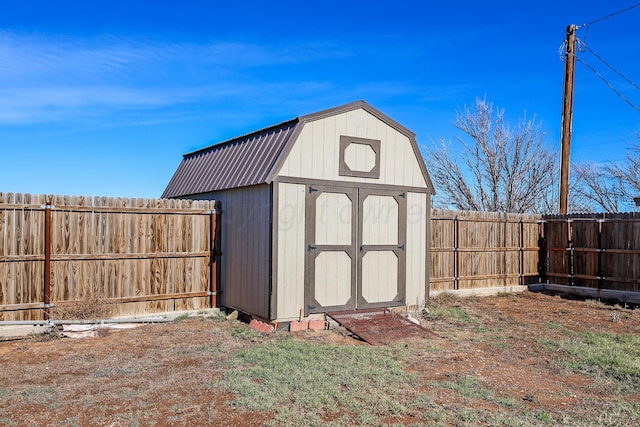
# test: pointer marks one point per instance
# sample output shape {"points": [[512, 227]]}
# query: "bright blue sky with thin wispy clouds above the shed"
{"points": [[104, 97]]}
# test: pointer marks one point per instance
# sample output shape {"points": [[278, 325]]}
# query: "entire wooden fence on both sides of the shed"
{"points": [[159, 255]]}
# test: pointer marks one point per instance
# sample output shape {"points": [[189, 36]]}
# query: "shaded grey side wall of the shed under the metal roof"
{"points": [[245, 248]]}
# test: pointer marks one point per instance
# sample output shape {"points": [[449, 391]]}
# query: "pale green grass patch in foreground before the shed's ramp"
{"points": [[311, 380]]}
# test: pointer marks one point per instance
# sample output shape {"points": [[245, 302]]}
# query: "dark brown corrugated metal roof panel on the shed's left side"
{"points": [[240, 162]]}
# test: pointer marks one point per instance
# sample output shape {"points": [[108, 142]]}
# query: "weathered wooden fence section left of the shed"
{"points": [[143, 255]]}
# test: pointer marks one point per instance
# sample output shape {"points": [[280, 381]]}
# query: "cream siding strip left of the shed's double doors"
{"points": [[290, 250]]}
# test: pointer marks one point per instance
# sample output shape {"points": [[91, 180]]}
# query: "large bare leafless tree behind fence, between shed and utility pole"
{"points": [[500, 168]]}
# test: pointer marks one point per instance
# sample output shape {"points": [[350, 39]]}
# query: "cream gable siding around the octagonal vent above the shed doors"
{"points": [[315, 153]]}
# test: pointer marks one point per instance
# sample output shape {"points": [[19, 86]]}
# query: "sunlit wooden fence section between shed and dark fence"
{"points": [[471, 250]]}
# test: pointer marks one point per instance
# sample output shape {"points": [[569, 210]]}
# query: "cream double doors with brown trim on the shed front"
{"points": [[355, 239]]}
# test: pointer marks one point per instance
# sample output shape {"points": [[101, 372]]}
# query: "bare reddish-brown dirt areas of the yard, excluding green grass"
{"points": [[157, 374]]}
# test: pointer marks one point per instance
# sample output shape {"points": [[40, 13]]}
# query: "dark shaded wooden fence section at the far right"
{"points": [[595, 251]]}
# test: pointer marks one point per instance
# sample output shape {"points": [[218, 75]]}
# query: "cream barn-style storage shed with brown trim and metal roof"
{"points": [[326, 212]]}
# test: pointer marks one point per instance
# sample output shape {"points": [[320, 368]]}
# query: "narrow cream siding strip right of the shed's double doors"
{"points": [[417, 220]]}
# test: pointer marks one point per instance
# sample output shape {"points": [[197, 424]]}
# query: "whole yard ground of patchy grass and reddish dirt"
{"points": [[517, 360]]}
